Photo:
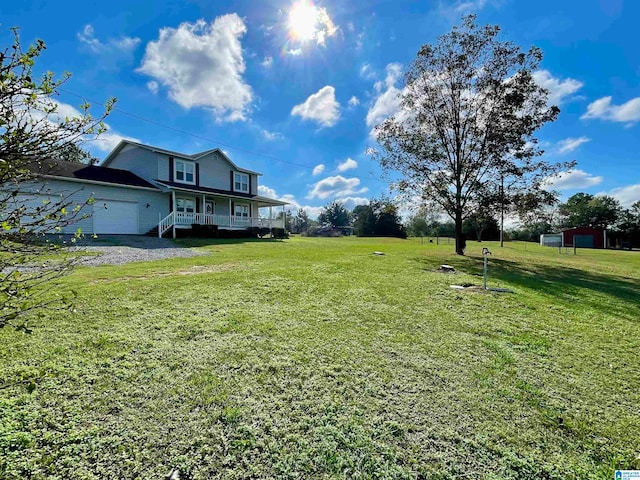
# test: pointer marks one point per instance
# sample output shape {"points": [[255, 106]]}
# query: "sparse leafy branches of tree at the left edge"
{"points": [[33, 132]]}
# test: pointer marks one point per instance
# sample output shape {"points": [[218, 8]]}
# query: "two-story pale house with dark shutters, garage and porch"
{"points": [[140, 189]]}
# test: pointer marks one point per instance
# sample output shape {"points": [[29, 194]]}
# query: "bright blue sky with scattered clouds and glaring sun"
{"points": [[296, 100]]}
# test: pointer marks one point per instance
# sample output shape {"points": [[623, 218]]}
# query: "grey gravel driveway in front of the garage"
{"points": [[120, 249]]}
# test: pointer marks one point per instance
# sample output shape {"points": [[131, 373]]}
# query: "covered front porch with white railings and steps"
{"points": [[197, 206]]}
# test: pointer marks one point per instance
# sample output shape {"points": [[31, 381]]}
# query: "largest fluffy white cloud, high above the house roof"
{"points": [[202, 65]]}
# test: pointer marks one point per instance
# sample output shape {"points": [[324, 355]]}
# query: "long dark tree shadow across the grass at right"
{"points": [[565, 283]]}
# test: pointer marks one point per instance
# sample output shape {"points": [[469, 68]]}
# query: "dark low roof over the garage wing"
{"points": [[80, 171]]}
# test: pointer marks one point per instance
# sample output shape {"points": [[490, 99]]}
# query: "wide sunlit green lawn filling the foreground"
{"points": [[314, 358]]}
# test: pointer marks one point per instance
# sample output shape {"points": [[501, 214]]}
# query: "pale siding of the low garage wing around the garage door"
{"points": [[79, 193]]}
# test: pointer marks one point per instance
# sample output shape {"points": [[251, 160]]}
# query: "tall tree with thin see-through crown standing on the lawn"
{"points": [[468, 113]]}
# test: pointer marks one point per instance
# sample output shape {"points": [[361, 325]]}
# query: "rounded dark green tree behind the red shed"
{"points": [[585, 210]]}
